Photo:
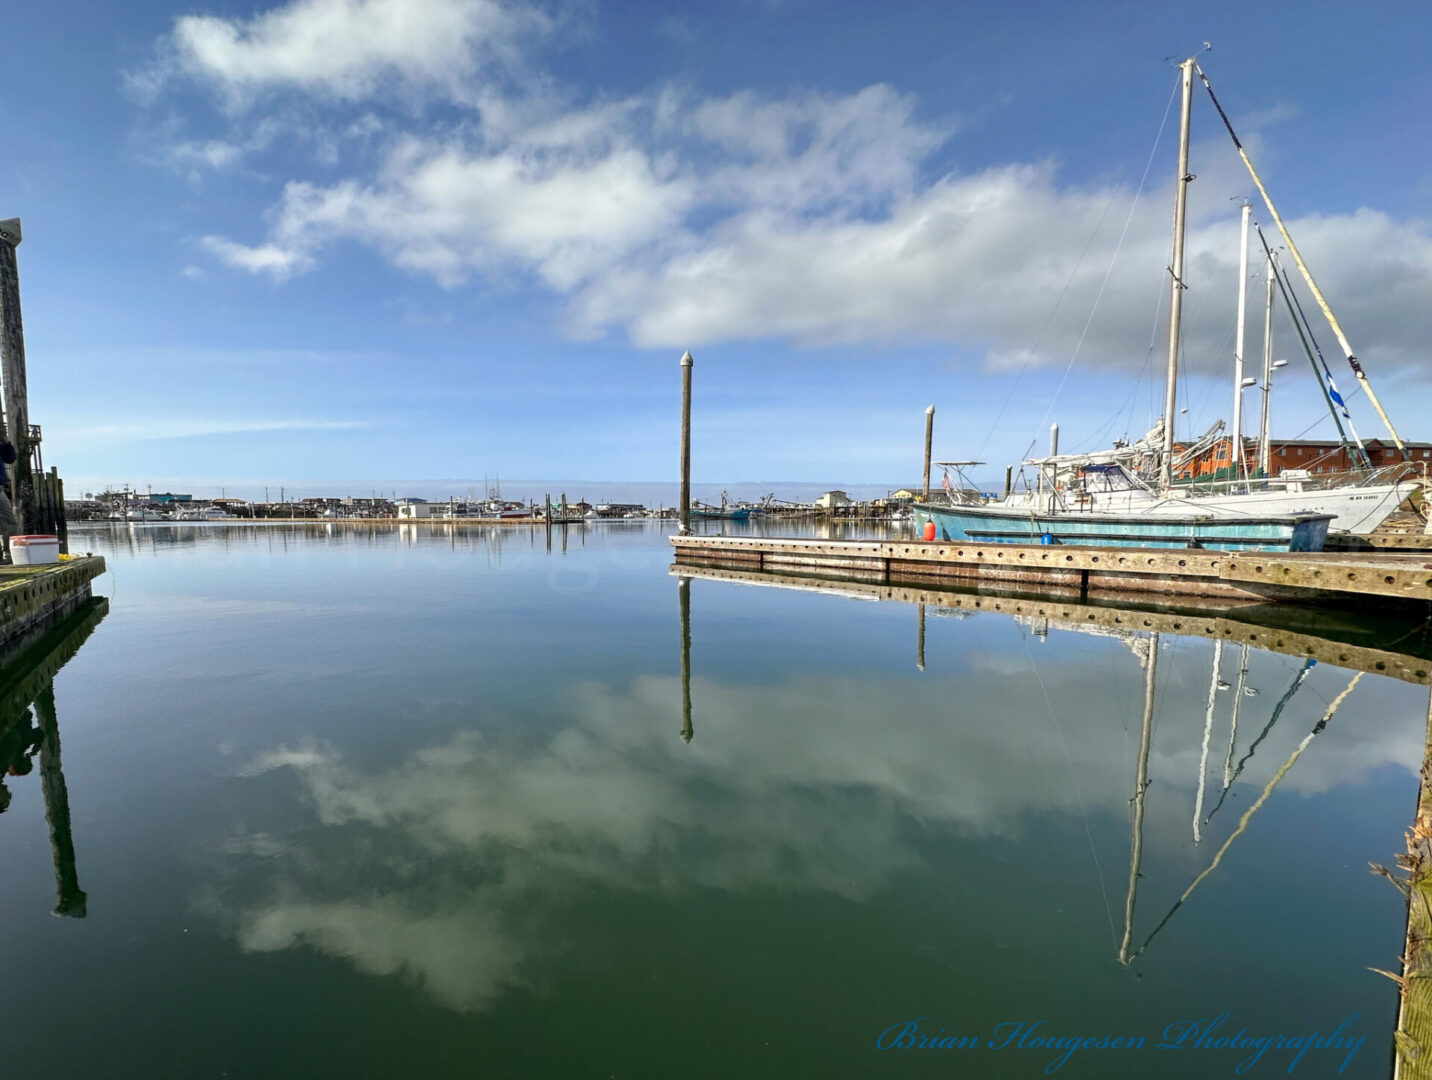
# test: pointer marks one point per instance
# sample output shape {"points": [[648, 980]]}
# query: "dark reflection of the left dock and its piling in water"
{"points": [[31, 728]]}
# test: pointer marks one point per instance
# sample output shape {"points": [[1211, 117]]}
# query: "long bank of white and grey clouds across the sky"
{"points": [[685, 220]]}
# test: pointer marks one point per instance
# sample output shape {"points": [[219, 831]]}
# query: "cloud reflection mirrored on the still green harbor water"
{"points": [[489, 839]]}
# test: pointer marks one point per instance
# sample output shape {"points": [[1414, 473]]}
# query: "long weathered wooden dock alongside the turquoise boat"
{"points": [[1327, 577]]}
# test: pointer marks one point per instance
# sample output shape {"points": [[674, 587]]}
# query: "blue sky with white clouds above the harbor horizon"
{"points": [[344, 246]]}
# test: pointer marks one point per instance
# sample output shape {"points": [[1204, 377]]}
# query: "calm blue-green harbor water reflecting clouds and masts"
{"points": [[397, 803]]}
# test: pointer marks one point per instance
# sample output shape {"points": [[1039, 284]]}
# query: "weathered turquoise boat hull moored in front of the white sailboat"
{"points": [[1000, 526]]}
